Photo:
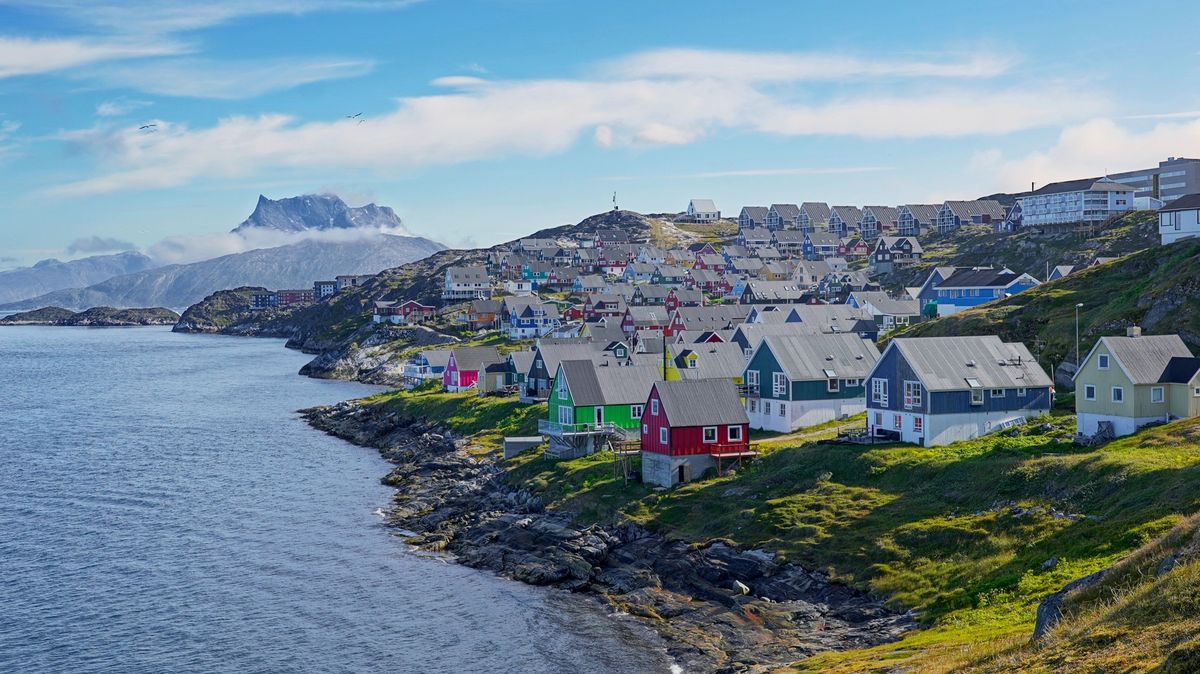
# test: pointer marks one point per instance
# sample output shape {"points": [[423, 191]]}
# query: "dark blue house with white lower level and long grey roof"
{"points": [[940, 390]]}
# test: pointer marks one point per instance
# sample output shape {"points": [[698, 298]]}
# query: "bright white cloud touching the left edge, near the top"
{"points": [[25, 56]]}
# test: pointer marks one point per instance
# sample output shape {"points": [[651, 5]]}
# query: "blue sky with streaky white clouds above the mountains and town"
{"points": [[484, 121]]}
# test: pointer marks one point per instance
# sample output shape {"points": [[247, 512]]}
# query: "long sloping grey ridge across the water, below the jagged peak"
{"points": [[296, 266]]}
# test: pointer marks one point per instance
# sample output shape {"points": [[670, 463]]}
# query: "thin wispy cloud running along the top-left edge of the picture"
{"points": [[155, 17]]}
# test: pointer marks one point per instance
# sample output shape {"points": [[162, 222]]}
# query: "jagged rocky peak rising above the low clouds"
{"points": [[319, 213]]}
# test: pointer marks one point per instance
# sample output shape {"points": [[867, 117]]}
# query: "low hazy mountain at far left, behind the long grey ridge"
{"points": [[53, 275]]}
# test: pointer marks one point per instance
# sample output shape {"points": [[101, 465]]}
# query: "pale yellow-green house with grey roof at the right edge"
{"points": [[1126, 383]]}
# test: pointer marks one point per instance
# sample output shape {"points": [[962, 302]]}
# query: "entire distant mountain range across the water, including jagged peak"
{"points": [[369, 244]]}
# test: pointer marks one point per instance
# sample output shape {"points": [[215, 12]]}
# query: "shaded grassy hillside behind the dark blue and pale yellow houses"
{"points": [[1157, 290]]}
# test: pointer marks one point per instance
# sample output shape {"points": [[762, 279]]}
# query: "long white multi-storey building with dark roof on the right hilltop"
{"points": [[1089, 201]]}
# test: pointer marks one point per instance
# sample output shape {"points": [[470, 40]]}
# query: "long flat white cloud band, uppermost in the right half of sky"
{"points": [[766, 67]]}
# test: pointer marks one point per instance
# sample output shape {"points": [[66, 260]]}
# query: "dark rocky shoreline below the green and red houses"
{"points": [[718, 609]]}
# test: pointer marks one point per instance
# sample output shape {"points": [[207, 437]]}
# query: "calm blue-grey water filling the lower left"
{"points": [[163, 509]]}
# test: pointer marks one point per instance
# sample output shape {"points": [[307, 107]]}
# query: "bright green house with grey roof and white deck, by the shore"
{"points": [[595, 402]]}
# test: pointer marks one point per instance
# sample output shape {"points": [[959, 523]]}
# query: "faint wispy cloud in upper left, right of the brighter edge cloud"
{"points": [[203, 79]]}
